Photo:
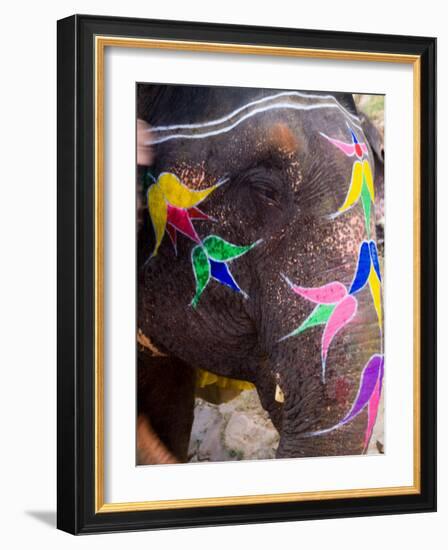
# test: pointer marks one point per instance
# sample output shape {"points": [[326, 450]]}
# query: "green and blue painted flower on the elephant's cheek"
{"points": [[210, 261]]}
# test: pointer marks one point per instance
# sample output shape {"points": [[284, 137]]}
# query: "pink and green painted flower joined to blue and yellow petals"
{"points": [[336, 305]]}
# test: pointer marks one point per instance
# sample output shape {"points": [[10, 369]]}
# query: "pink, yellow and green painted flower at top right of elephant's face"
{"points": [[361, 181]]}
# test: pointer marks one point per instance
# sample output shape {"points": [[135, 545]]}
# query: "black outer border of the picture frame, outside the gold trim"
{"points": [[76, 263]]}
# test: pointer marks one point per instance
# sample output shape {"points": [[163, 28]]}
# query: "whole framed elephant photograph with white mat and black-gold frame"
{"points": [[246, 274]]}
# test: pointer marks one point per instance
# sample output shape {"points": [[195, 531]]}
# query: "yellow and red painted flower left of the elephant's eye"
{"points": [[172, 208]]}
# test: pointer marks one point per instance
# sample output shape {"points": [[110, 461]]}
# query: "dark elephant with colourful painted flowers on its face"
{"points": [[257, 261]]}
